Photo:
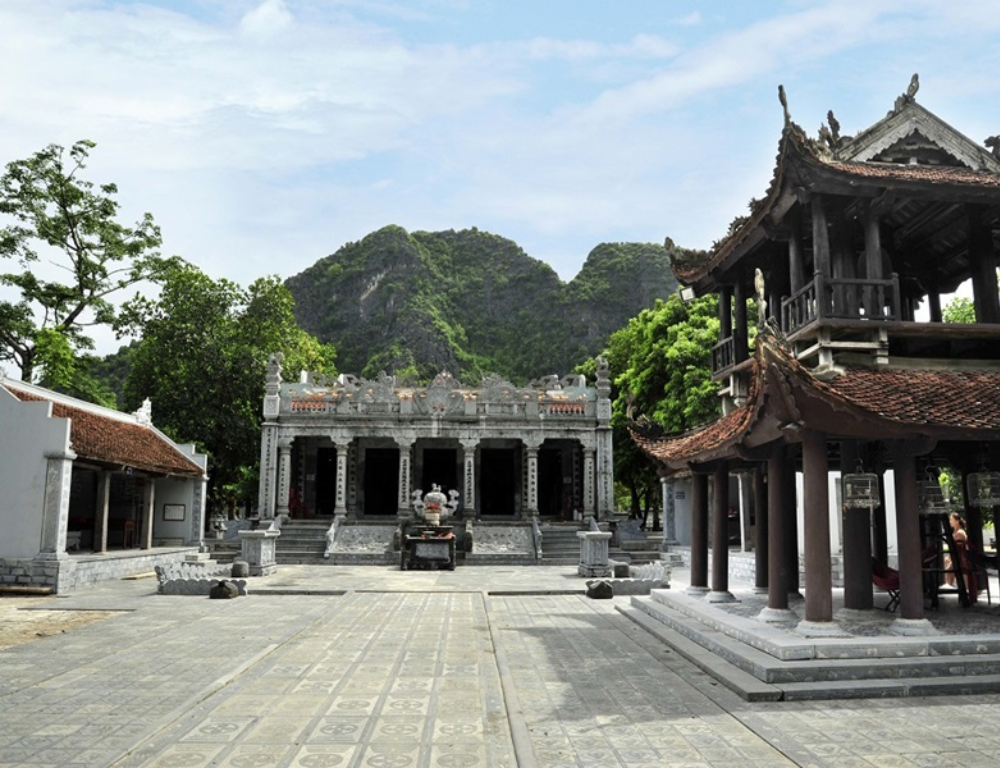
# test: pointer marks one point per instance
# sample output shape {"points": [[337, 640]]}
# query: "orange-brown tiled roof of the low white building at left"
{"points": [[113, 440]]}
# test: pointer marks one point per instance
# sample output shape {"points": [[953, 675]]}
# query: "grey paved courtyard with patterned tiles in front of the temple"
{"points": [[369, 666]]}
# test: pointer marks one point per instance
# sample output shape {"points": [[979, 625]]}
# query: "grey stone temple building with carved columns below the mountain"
{"points": [[357, 450]]}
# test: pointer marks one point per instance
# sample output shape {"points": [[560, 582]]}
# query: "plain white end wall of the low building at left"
{"points": [[27, 435]]}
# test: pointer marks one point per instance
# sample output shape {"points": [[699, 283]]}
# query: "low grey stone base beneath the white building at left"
{"points": [[72, 571]]}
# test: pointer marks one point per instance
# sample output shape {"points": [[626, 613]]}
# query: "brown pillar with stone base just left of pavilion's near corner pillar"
{"points": [[778, 513]]}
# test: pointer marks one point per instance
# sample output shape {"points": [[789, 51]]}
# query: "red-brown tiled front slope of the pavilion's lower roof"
{"points": [[962, 399]]}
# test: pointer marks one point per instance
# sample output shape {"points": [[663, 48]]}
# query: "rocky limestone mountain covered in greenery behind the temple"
{"points": [[471, 303]]}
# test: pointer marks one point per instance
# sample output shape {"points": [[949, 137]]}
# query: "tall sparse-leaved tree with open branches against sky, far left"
{"points": [[49, 212]]}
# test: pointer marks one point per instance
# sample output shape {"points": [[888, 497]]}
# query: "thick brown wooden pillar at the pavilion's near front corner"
{"points": [[816, 504]]}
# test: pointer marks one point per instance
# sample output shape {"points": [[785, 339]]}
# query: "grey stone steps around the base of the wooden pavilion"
{"points": [[763, 663]]}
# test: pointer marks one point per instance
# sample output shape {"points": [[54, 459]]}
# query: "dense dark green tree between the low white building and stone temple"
{"points": [[202, 361]]}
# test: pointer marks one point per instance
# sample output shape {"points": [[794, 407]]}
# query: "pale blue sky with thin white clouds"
{"points": [[264, 134]]}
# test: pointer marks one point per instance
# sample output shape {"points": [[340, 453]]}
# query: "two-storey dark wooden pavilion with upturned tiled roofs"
{"points": [[854, 236]]}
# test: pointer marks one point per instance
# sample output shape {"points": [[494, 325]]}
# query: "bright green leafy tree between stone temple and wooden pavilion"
{"points": [[661, 368]]}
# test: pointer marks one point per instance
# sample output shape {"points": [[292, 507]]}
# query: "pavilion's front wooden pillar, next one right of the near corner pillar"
{"points": [[911, 594]]}
